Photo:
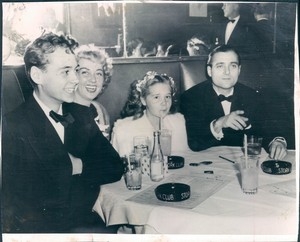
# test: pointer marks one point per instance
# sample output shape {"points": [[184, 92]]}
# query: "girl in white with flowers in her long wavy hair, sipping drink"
{"points": [[150, 107]]}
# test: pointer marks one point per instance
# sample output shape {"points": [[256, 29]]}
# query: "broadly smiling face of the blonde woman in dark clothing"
{"points": [[91, 78]]}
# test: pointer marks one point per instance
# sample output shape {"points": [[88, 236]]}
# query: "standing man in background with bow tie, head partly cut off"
{"points": [[236, 31]]}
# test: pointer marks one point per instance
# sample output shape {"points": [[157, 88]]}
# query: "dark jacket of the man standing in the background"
{"points": [[241, 38]]}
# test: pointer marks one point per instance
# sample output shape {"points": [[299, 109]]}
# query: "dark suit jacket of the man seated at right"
{"points": [[200, 107]]}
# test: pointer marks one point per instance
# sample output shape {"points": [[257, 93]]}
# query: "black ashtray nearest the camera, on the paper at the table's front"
{"points": [[173, 192]]}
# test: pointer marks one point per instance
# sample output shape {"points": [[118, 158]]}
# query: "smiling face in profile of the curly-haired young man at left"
{"points": [[58, 82]]}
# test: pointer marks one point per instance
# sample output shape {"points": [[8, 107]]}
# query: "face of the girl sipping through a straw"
{"points": [[158, 100]]}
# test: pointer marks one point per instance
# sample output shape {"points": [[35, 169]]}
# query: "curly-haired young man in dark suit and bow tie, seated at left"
{"points": [[46, 188]]}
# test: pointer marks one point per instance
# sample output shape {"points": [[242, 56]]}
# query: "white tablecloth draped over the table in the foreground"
{"points": [[272, 211]]}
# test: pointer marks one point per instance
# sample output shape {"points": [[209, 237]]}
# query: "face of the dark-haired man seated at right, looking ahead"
{"points": [[224, 71]]}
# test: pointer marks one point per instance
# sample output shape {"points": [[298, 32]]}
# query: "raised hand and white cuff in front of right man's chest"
{"points": [[233, 120]]}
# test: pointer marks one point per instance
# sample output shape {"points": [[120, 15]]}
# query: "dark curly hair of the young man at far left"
{"points": [[36, 53]]}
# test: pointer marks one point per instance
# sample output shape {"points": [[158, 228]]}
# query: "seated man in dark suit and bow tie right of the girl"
{"points": [[221, 110]]}
